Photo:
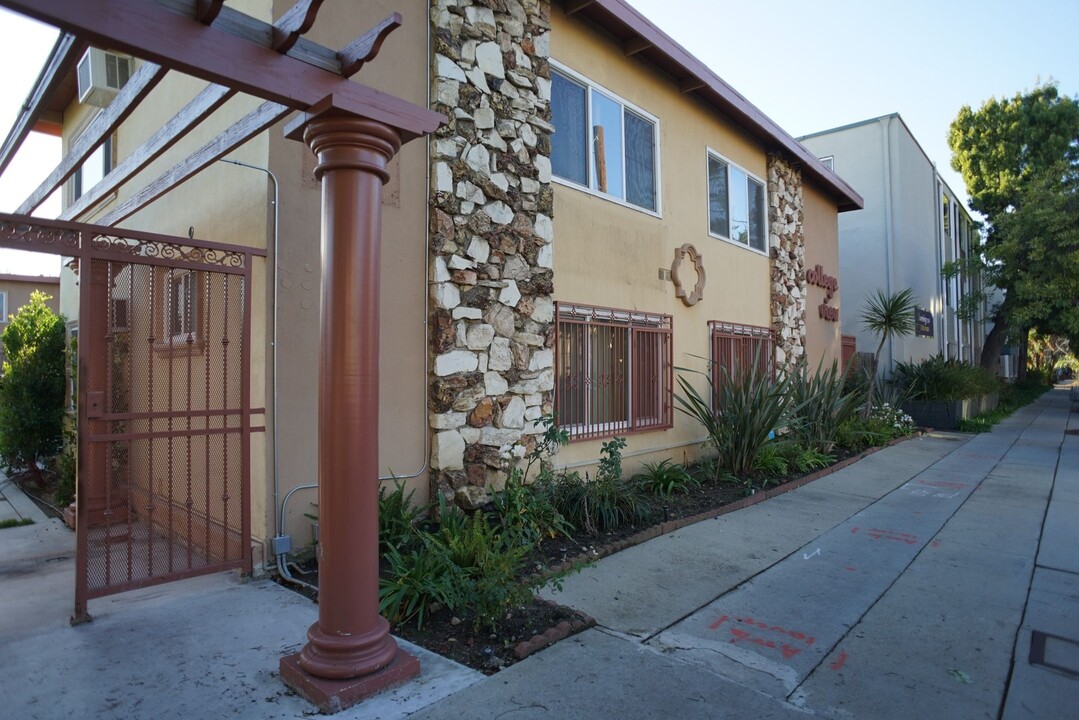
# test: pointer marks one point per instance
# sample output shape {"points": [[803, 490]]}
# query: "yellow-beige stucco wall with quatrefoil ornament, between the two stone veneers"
{"points": [[610, 255]]}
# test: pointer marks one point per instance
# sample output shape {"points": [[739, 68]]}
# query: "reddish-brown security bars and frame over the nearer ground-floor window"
{"points": [[661, 327]]}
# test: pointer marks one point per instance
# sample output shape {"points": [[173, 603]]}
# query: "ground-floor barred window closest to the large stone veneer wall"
{"points": [[613, 372]]}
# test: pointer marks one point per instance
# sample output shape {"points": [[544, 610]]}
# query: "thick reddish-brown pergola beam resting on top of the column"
{"points": [[134, 26]]}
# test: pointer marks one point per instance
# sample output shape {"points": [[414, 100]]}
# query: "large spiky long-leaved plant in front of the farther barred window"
{"points": [[749, 407]]}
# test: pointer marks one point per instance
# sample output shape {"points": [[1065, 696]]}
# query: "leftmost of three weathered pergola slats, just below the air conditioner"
{"points": [[140, 86]]}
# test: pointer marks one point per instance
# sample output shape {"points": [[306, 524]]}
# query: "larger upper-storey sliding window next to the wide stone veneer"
{"points": [[603, 143]]}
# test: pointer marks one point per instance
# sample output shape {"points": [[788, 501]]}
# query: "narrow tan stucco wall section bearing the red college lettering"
{"points": [[822, 233]]}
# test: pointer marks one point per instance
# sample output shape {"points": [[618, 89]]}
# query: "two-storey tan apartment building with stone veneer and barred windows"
{"points": [[599, 211]]}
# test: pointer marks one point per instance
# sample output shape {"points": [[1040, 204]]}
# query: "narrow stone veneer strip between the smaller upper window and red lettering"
{"points": [[788, 252]]}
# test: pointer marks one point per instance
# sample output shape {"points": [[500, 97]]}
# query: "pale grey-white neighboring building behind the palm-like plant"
{"points": [[911, 226]]}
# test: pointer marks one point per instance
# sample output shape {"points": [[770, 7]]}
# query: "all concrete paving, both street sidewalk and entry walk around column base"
{"points": [[908, 586]]}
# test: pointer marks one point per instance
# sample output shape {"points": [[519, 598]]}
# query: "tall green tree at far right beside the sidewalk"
{"points": [[1019, 159]]}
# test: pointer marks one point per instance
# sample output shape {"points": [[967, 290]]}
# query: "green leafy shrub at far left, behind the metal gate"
{"points": [[32, 389]]}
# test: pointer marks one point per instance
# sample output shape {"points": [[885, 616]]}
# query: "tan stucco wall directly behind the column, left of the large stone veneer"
{"points": [[399, 70]]}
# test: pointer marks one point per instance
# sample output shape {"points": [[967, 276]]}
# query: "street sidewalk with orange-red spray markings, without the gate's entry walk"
{"points": [[907, 586]]}
